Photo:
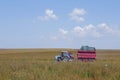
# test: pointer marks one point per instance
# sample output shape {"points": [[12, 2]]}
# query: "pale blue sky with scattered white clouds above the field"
{"points": [[60, 23]]}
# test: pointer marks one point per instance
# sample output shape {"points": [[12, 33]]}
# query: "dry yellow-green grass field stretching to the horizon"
{"points": [[39, 64]]}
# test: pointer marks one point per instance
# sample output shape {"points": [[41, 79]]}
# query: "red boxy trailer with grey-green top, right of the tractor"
{"points": [[86, 53]]}
